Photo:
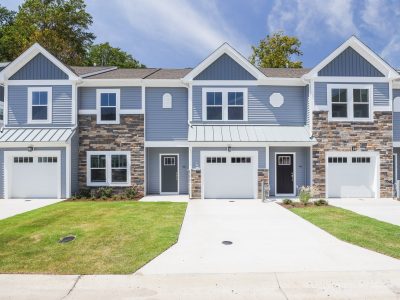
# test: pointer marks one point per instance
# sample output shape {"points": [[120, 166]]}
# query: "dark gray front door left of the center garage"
{"points": [[169, 173]]}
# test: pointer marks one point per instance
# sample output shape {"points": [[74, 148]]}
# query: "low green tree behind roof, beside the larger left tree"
{"points": [[106, 55]]}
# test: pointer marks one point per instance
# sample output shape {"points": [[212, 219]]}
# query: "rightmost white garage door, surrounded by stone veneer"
{"points": [[352, 175]]}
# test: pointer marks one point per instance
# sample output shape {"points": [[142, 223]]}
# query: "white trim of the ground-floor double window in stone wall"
{"points": [[108, 168]]}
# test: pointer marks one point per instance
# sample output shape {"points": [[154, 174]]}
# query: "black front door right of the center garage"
{"points": [[284, 174]]}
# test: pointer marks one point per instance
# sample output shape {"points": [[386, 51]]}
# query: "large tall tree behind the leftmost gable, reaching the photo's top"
{"points": [[61, 26]]}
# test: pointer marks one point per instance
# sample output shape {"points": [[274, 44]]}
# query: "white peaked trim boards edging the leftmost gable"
{"points": [[29, 54]]}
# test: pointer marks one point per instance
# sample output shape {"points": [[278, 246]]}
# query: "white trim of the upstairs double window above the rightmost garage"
{"points": [[350, 110]]}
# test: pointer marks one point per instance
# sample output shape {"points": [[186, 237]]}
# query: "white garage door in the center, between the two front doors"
{"points": [[231, 175]]}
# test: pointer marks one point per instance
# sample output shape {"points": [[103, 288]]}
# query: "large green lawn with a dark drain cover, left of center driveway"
{"points": [[112, 237]]}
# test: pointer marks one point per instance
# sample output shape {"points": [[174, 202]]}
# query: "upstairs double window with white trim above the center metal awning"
{"points": [[224, 104]]}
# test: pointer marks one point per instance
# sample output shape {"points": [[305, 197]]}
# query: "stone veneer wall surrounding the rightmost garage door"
{"points": [[342, 136]]}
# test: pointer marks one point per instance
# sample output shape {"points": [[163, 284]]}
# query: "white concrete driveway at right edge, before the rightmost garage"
{"points": [[387, 210]]}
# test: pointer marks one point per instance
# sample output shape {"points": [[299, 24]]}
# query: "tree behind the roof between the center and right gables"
{"points": [[276, 51]]}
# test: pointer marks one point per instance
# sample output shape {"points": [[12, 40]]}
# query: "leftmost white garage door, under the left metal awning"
{"points": [[34, 175]]}
